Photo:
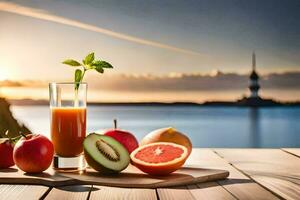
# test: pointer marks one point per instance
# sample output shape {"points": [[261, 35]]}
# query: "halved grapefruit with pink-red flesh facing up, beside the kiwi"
{"points": [[159, 158]]}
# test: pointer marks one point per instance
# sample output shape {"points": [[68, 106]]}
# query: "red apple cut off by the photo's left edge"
{"points": [[6, 153]]}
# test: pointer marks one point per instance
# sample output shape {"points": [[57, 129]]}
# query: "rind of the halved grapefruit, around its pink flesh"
{"points": [[162, 168]]}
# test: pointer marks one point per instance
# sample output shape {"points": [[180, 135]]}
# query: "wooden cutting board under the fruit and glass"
{"points": [[131, 177]]}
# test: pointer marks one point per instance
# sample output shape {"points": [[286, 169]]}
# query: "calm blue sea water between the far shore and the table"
{"points": [[206, 126]]}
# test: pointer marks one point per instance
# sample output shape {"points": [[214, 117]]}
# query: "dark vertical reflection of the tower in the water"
{"points": [[254, 133]]}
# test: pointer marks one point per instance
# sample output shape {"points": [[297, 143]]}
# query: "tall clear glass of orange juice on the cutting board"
{"points": [[68, 124]]}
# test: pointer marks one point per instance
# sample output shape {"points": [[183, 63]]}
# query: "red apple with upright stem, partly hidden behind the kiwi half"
{"points": [[125, 138]]}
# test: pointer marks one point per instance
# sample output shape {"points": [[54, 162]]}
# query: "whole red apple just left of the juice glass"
{"points": [[33, 153]]}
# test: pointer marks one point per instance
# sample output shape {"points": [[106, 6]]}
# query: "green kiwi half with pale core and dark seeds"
{"points": [[105, 154]]}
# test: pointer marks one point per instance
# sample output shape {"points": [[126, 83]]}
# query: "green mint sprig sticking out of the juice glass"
{"points": [[88, 63]]}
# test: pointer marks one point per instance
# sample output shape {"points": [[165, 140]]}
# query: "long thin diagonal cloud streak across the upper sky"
{"points": [[43, 15]]}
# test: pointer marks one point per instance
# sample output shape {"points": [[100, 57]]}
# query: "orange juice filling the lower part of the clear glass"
{"points": [[68, 129]]}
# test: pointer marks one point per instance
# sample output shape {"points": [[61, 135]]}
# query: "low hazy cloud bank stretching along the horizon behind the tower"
{"points": [[177, 82]]}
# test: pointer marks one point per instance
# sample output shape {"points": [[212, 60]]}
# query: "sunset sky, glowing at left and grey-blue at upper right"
{"points": [[152, 39]]}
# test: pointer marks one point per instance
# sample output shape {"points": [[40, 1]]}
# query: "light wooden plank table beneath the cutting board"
{"points": [[254, 174]]}
